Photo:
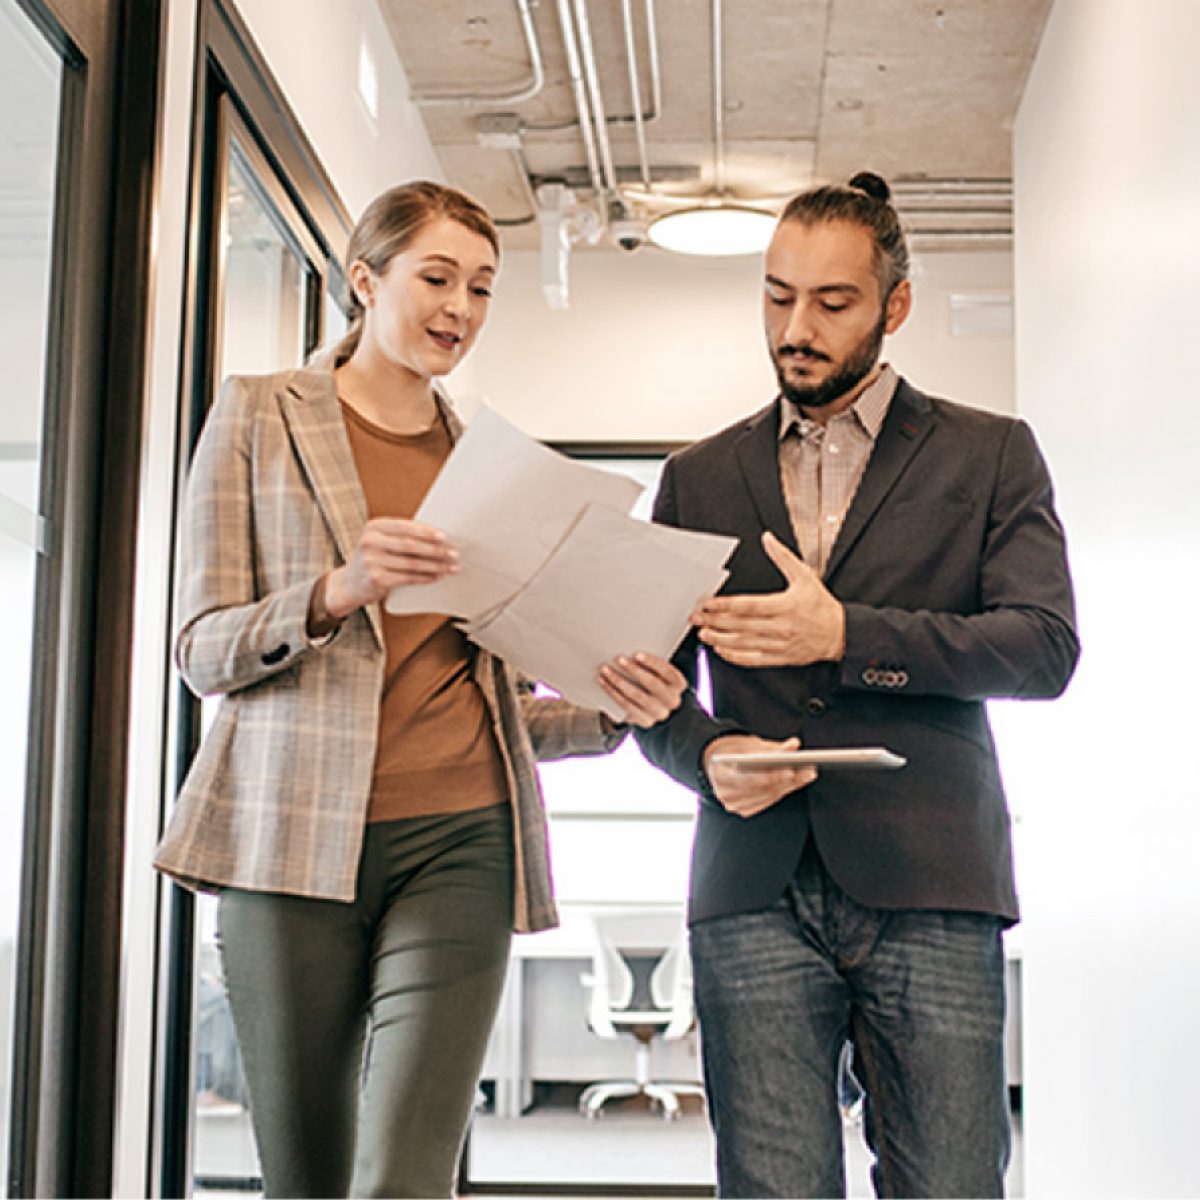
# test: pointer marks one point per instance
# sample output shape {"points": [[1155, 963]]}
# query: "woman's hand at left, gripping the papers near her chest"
{"points": [[392, 554]]}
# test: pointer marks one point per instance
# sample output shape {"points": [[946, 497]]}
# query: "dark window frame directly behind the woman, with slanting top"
{"points": [[237, 99]]}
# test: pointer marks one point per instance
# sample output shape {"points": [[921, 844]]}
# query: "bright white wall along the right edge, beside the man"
{"points": [[1108, 303]]}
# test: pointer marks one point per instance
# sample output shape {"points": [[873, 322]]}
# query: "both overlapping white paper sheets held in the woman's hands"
{"points": [[556, 577]]}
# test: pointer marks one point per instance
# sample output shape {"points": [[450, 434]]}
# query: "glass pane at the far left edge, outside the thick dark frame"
{"points": [[31, 88]]}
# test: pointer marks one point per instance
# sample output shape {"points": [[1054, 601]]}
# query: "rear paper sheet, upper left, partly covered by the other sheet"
{"points": [[506, 502]]}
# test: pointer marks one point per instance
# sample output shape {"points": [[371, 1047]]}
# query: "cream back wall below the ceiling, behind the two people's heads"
{"points": [[661, 347]]}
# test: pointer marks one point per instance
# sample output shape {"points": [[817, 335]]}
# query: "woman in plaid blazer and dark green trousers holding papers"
{"points": [[367, 802]]}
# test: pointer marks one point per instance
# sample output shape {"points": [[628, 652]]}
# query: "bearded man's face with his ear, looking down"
{"points": [[825, 316]]}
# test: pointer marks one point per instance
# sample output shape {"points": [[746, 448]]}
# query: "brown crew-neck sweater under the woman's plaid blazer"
{"points": [[437, 752]]}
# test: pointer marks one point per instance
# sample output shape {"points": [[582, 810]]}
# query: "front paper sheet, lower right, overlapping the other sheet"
{"points": [[615, 586]]}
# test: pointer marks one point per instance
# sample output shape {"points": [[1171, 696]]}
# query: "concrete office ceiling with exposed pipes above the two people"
{"points": [[923, 92]]}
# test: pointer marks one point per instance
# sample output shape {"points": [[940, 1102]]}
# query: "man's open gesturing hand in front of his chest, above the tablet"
{"points": [[802, 625]]}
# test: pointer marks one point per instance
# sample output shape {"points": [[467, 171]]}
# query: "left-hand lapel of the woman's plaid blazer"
{"points": [[314, 416]]}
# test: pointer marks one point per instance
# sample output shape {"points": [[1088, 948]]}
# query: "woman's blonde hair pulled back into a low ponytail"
{"points": [[392, 223]]}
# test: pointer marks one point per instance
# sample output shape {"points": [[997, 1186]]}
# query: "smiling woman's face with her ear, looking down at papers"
{"points": [[425, 310]]}
